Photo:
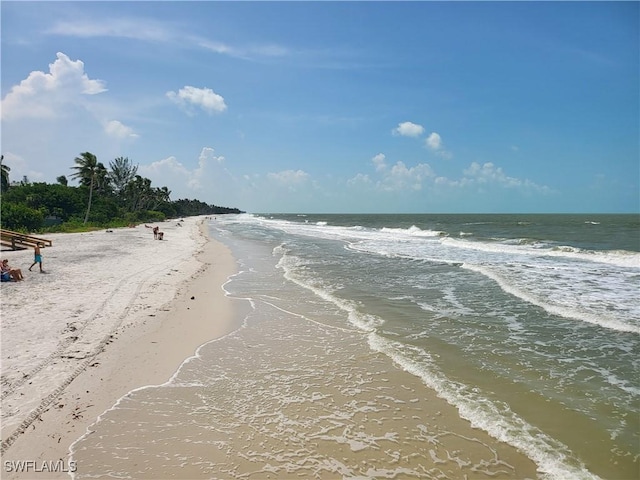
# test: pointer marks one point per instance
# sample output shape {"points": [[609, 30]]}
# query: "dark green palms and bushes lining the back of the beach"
{"points": [[105, 197]]}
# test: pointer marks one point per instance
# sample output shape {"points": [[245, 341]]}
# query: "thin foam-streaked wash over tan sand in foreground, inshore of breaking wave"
{"points": [[285, 398]]}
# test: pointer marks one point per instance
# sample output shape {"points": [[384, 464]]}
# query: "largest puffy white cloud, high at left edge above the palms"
{"points": [[47, 95]]}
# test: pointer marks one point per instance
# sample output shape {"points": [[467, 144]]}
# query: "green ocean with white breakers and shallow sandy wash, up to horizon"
{"points": [[404, 346]]}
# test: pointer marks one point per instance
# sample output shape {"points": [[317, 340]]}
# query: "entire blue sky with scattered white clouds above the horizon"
{"points": [[334, 106]]}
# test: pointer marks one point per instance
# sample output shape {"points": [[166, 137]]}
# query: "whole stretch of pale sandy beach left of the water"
{"points": [[115, 310]]}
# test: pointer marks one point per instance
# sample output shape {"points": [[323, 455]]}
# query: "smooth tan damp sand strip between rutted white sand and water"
{"points": [[138, 354]]}
